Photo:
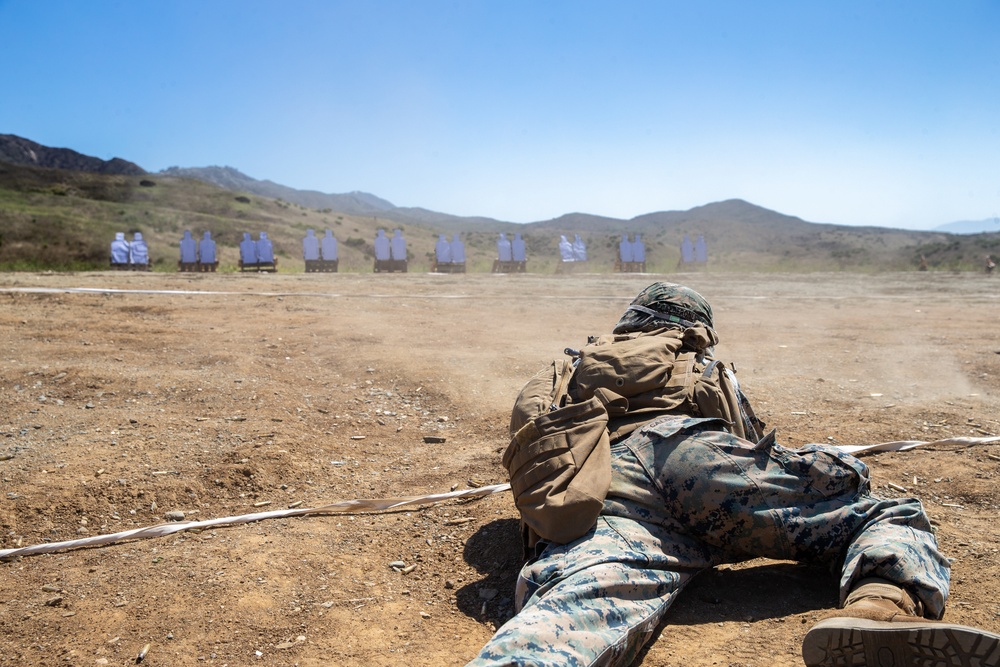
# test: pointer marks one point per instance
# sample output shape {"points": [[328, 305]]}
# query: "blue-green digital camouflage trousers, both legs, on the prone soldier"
{"points": [[686, 496]]}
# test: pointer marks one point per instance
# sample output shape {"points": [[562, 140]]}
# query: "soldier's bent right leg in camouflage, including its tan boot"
{"points": [[814, 505]]}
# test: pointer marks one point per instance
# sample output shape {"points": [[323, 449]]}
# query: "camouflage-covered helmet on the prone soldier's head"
{"points": [[665, 304]]}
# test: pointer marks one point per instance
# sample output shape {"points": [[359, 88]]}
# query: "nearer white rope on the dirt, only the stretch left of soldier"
{"points": [[163, 529]]}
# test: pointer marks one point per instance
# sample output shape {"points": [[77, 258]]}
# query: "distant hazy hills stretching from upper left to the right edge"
{"points": [[739, 234]]}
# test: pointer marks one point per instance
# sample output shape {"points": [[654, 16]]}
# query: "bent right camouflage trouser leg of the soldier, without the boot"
{"points": [[812, 505]]}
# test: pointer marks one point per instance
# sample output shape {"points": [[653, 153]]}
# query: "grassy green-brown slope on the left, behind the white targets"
{"points": [[65, 220]]}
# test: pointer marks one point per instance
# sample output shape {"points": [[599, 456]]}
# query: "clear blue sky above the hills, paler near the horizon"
{"points": [[850, 112]]}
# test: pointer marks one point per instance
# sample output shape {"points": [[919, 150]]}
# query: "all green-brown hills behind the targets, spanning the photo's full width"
{"points": [[60, 219]]}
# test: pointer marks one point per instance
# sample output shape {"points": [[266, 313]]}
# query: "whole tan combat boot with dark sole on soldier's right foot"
{"points": [[880, 626]]}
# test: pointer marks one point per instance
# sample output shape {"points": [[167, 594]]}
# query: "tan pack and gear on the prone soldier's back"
{"points": [[559, 458]]}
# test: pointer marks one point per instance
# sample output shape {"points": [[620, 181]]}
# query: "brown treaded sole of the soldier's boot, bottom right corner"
{"points": [[858, 642]]}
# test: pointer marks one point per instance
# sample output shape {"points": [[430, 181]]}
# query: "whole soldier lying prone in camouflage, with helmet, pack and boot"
{"points": [[639, 463]]}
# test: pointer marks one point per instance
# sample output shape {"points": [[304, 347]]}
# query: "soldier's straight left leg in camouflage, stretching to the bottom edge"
{"points": [[595, 601]]}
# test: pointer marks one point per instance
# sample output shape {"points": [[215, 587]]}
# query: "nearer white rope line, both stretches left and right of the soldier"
{"points": [[384, 504]]}
